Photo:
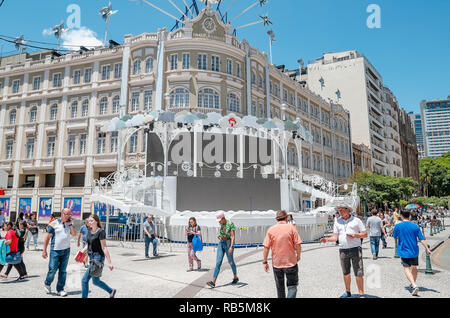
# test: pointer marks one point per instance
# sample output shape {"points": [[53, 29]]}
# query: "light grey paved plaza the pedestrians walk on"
{"points": [[319, 273]]}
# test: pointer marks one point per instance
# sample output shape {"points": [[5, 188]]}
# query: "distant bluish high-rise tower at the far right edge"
{"points": [[436, 126]]}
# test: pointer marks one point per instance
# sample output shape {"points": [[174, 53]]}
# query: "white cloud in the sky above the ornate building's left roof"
{"points": [[74, 38]]}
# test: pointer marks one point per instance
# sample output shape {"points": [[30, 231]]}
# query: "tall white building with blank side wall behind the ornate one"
{"points": [[351, 79]]}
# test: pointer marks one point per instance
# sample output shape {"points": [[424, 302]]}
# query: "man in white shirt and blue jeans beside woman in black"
{"points": [[58, 232]]}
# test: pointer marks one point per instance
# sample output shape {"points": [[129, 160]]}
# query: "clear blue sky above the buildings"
{"points": [[411, 50]]}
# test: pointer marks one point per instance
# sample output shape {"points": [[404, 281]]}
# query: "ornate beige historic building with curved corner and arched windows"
{"points": [[52, 108]]}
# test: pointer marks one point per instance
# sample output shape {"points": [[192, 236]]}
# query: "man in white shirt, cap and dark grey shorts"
{"points": [[349, 230]]}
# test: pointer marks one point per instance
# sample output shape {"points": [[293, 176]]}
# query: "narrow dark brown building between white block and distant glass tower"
{"points": [[409, 146]]}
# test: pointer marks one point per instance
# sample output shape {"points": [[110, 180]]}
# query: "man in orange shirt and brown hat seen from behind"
{"points": [[285, 242]]}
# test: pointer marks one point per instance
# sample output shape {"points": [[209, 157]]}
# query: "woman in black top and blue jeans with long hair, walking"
{"points": [[97, 250]]}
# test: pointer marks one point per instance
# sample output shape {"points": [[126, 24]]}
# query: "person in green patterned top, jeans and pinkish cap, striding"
{"points": [[227, 236]]}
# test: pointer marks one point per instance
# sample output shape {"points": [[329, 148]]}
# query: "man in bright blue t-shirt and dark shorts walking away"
{"points": [[408, 235]]}
